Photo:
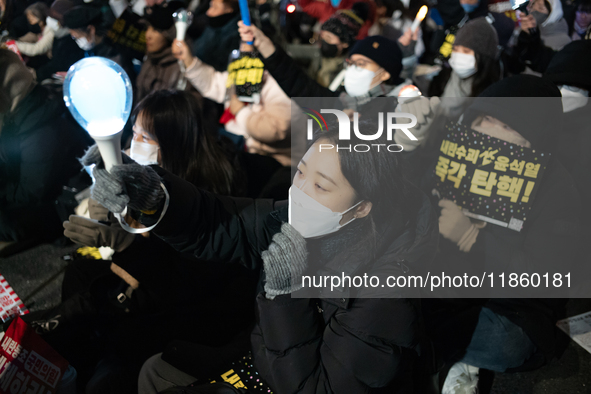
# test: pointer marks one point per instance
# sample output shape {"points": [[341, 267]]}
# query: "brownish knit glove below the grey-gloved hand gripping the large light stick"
{"points": [[90, 232]]}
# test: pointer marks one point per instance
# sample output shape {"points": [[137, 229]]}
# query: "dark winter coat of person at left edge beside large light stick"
{"points": [[38, 150]]}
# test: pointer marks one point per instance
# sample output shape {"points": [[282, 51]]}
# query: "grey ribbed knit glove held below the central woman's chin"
{"points": [[285, 262]]}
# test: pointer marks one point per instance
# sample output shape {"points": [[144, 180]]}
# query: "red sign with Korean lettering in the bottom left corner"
{"points": [[27, 363]]}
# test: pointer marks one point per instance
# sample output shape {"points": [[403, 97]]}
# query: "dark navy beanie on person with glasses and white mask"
{"points": [[386, 53]]}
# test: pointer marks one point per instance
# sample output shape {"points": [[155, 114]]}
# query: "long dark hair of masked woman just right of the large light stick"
{"points": [[173, 119]]}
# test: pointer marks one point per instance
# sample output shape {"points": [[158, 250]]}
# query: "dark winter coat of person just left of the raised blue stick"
{"points": [[215, 44]]}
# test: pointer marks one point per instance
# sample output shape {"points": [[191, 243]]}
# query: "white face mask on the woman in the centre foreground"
{"points": [[310, 218]]}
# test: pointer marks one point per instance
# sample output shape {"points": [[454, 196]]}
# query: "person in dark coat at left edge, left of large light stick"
{"points": [[38, 150]]}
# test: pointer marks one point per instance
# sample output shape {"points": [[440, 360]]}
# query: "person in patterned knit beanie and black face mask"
{"points": [[337, 35]]}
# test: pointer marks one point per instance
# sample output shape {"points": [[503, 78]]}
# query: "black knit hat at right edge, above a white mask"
{"points": [[571, 65]]}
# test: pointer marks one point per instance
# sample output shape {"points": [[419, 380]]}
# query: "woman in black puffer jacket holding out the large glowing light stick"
{"points": [[352, 344]]}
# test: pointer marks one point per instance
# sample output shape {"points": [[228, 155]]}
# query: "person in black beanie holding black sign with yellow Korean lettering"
{"points": [[502, 334]]}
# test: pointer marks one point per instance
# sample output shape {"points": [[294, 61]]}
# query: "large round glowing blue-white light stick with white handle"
{"points": [[98, 93]]}
